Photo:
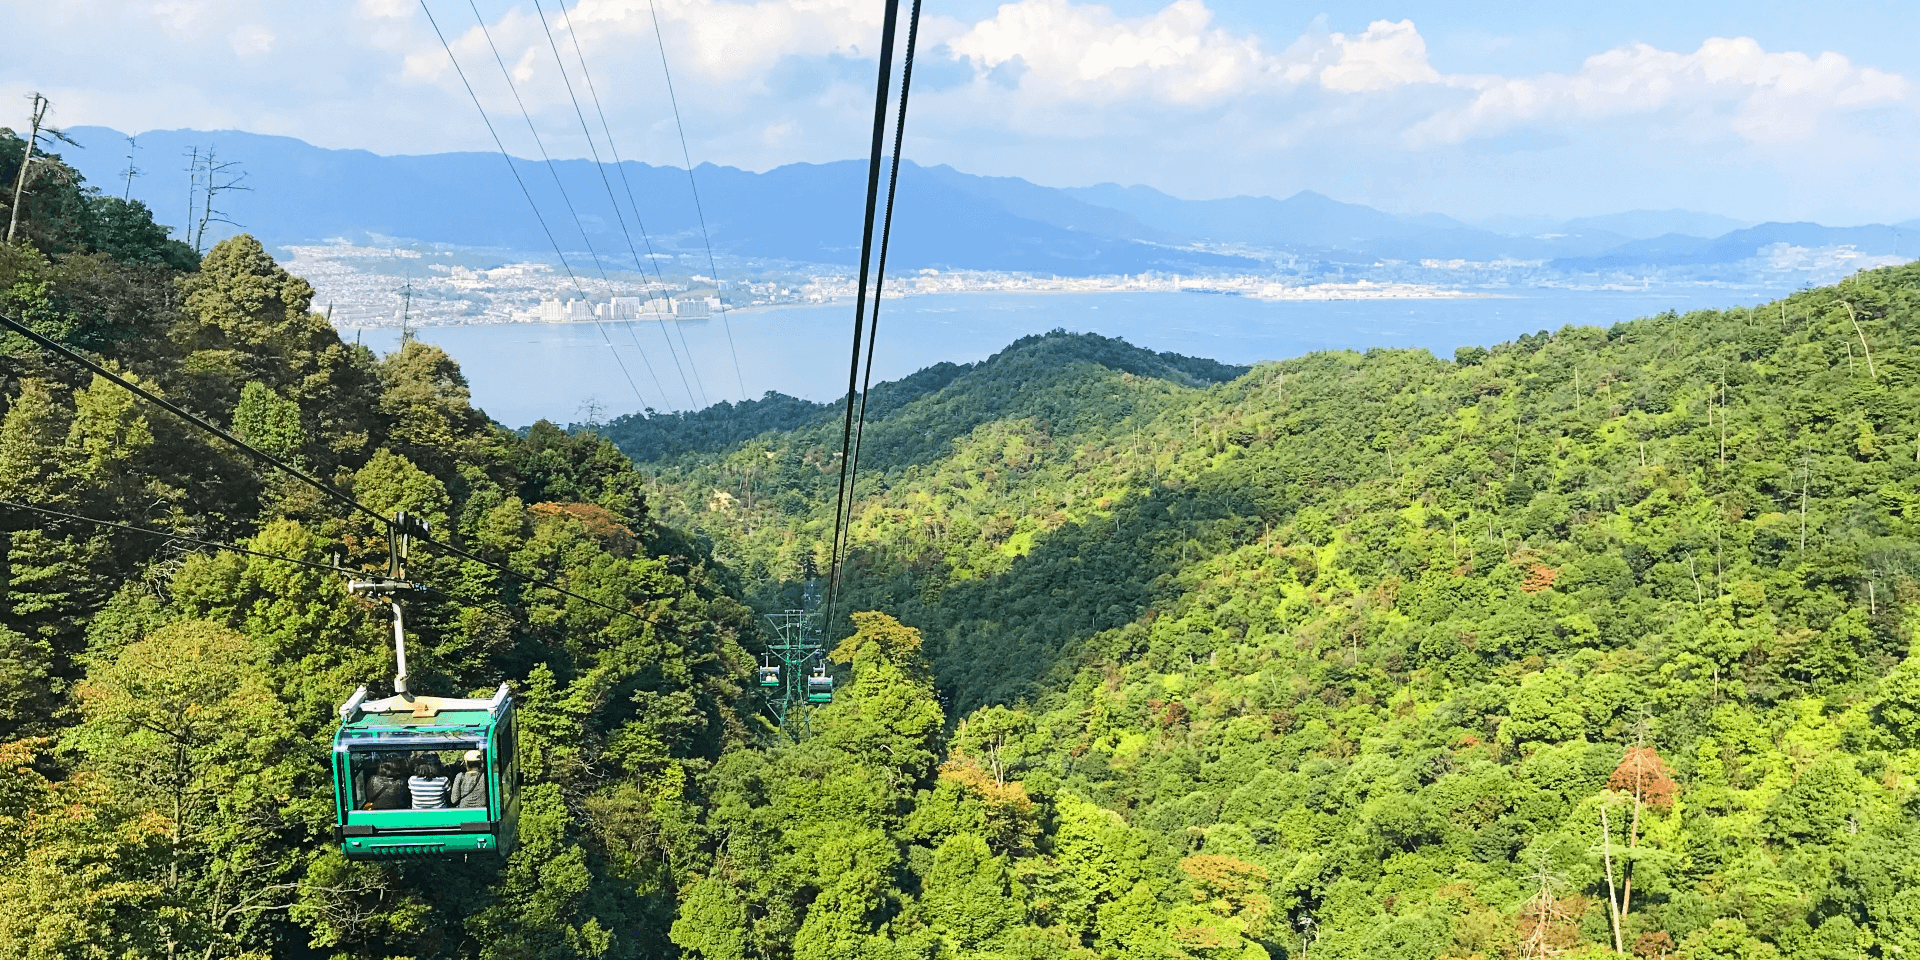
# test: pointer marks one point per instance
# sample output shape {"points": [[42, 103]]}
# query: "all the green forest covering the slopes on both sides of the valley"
{"points": [[1587, 644]]}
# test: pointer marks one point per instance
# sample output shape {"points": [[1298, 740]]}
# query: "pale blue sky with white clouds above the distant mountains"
{"points": [[1756, 110]]}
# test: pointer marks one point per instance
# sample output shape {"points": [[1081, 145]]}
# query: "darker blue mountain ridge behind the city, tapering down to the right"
{"points": [[802, 212]]}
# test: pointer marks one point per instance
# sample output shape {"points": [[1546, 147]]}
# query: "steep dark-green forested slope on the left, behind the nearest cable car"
{"points": [[166, 711]]}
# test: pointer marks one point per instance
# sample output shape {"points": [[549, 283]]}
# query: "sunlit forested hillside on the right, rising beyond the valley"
{"points": [[1593, 640]]}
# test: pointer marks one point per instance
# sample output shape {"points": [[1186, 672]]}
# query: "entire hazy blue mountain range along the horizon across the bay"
{"points": [[948, 220]]}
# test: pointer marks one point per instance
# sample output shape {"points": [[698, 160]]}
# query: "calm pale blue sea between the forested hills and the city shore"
{"points": [[523, 373]]}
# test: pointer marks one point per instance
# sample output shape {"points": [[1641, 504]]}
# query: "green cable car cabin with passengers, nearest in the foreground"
{"points": [[389, 805]]}
